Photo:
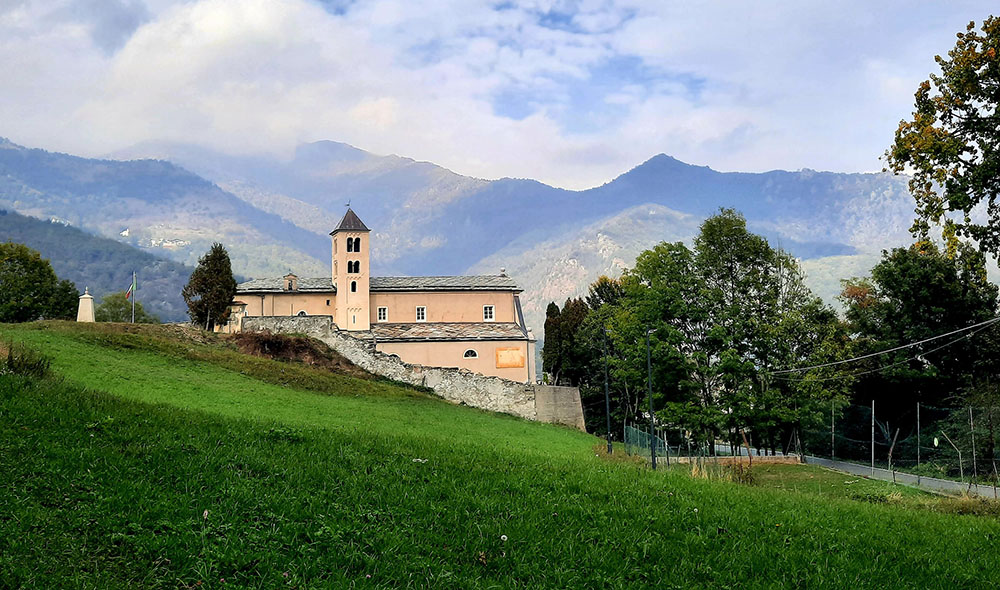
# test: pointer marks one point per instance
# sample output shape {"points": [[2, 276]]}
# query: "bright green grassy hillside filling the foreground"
{"points": [[312, 480]]}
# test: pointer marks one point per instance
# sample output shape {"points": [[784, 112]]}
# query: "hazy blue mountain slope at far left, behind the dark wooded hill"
{"points": [[151, 204]]}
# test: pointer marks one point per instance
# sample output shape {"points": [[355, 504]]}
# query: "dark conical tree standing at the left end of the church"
{"points": [[211, 288]]}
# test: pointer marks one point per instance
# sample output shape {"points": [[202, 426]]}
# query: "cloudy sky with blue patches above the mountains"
{"points": [[568, 93]]}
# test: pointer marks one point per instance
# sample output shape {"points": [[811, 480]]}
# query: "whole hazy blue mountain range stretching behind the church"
{"points": [[274, 213]]}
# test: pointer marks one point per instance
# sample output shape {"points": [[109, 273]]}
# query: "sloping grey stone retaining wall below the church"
{"points": [[560, 405]]}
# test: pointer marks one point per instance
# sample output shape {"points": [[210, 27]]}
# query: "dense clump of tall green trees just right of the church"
{"points": [[724, 315]]}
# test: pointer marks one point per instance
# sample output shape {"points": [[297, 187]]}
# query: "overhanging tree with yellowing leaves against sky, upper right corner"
{"points": [[952, 142]]}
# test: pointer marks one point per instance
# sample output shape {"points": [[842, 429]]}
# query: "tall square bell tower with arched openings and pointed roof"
{"points": [[351, 273]]}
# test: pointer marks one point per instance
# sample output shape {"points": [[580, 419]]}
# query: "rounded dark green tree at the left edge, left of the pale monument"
{"points": [[29, 288]]}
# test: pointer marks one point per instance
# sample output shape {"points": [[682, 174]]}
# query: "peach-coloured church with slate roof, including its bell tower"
{"points": [[466, 322]]}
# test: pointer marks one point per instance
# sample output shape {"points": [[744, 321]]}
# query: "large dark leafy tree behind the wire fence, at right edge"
{"points": [[912, 294]]}
